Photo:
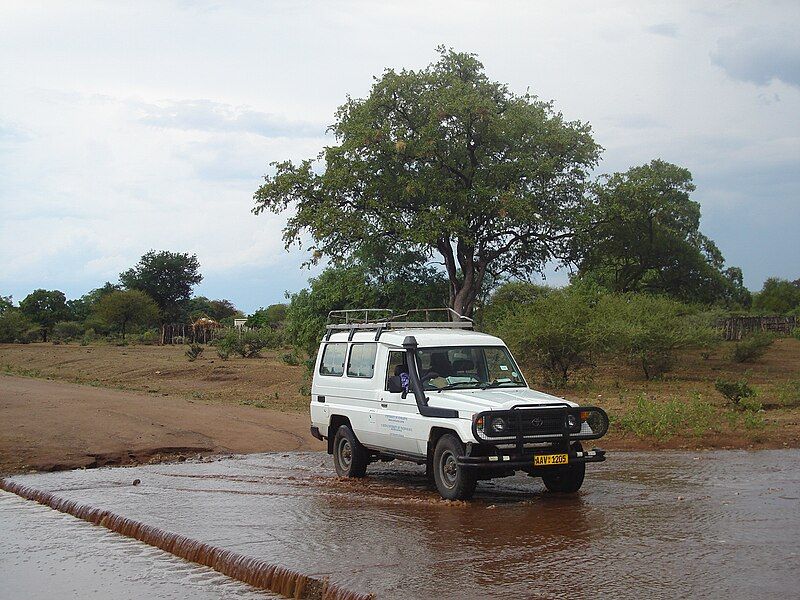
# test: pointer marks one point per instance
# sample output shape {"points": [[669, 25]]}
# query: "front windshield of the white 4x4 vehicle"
{"points": [[468, 367]]}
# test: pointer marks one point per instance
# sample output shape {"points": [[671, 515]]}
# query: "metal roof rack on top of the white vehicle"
{"points": [[380, 320]]}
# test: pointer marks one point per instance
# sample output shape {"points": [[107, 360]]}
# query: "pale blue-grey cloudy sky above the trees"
{"points": [[131, 126]]}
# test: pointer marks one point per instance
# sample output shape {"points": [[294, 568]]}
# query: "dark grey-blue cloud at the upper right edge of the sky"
{"points": [[760, 56]]}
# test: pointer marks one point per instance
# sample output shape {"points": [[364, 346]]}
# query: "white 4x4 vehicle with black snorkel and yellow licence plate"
{"points": [[446, 396]]}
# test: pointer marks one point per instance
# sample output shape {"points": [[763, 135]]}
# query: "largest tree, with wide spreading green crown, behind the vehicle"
{"points": [[444, 162]]}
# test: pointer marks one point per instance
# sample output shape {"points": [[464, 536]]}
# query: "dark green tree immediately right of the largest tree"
{"points": [[641, 234]]}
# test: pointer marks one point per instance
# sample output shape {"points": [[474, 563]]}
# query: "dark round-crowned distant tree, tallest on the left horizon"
{"points": [[168, 278]]}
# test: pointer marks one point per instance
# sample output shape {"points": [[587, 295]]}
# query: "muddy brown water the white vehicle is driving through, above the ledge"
{"points": [[645, 524]]}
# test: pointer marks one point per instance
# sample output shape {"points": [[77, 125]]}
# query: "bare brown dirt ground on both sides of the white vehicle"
{"points": [[141, 403]]}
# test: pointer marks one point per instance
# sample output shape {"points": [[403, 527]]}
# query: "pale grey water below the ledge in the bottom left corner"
{"points": [[46, 555]]}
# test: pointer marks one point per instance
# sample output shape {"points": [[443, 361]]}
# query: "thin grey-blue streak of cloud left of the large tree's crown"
{"points": [[207, 115]]}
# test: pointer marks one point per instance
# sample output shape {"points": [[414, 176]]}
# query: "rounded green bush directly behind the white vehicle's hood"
{"points": [[555, 331]]}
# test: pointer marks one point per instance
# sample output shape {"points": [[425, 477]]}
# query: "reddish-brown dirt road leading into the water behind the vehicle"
{"points": [[47, 425]]}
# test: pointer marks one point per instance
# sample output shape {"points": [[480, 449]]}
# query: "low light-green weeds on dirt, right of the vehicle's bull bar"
{"points": [[665, 419]]}
